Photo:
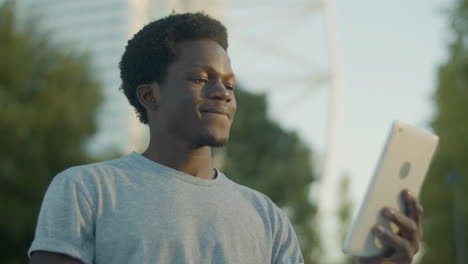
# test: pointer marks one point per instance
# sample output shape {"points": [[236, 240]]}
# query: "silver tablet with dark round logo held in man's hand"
{"points": [[403, 165]]}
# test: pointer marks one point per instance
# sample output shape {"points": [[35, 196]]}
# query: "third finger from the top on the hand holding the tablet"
{"points": [[402, 247]]}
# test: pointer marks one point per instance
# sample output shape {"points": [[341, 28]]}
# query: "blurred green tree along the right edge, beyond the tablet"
{"points": [[451, 124]]}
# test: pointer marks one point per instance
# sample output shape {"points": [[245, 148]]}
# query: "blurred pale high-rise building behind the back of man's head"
{"points": [[103, 28]]}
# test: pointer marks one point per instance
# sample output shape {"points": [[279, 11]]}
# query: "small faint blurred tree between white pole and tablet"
{"points": [[345, 208]]}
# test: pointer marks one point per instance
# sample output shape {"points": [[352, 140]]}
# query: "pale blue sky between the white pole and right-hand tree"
{"points": [[391, 51]]}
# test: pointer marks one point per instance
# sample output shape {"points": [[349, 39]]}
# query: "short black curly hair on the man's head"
{"points": [[153, 48]]}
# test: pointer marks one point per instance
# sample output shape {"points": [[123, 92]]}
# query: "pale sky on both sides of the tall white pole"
{"points": [[389, 55]]}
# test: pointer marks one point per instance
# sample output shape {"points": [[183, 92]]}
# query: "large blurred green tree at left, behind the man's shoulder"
{"points": [[48, 100]]}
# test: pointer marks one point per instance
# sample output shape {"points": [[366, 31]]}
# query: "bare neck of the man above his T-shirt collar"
{"points": [[179, 155]]}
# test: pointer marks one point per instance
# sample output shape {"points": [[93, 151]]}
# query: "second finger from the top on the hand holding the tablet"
{"points": [[408, 228]]}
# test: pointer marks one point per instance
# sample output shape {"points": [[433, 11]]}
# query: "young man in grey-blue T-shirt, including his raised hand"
{"points": [[169, 205]]}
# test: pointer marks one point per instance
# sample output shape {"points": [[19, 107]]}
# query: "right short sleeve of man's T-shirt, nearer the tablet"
{"points": [[286, 249]]}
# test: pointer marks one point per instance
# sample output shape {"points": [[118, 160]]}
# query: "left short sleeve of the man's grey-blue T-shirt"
{"points": [[66, 221]]}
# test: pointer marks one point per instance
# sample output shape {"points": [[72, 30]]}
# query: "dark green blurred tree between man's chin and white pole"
{"points": [[263, 156]]}
